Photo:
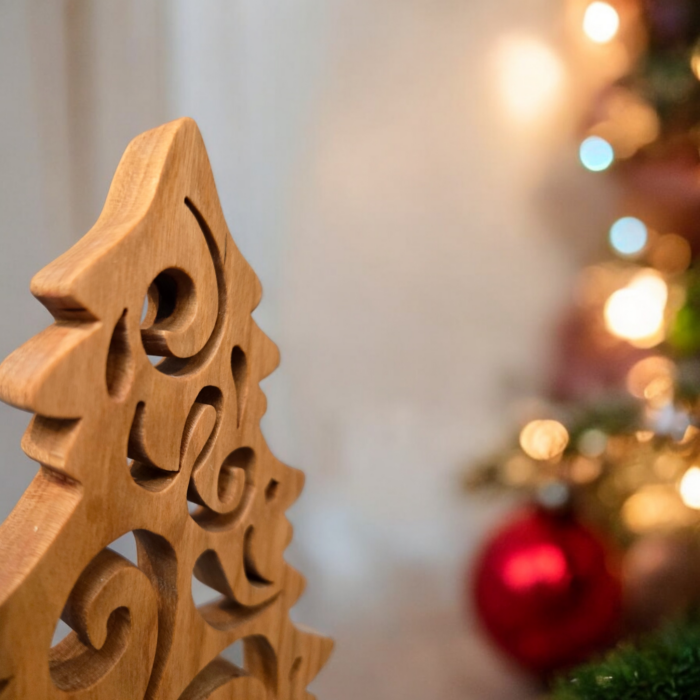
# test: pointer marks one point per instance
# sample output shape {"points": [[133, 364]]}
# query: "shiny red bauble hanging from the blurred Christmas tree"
{"points": [[547, 590]]}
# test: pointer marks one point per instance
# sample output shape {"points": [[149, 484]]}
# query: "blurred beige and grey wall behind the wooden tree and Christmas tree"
{"points": [[405, 176]]}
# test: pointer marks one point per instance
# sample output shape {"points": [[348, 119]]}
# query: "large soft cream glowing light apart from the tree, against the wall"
{"points": [[530, 77]]}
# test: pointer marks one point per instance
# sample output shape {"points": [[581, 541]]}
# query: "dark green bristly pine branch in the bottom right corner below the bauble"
{"points": [[664, 666]]}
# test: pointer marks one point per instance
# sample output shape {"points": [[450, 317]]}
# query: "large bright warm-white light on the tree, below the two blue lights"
{"points": [[636, 312]]}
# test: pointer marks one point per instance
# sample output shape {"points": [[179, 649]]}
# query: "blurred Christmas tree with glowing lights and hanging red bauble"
{"points": [[607, 546]]}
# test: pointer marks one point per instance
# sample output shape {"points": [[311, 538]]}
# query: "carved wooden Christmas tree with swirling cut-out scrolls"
{"points": [[126, 446]]}
